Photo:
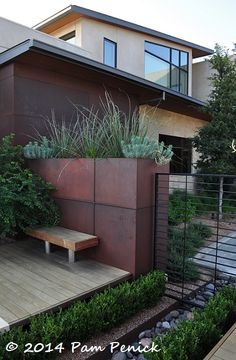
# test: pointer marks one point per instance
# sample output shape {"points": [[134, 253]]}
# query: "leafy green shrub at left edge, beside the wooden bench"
{"points": [[24, 197]]}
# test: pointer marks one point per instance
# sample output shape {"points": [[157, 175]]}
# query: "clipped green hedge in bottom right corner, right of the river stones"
{"points": [[194, 339]]}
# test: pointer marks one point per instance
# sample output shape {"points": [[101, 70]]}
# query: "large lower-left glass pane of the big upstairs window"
{"points": [[157, 70]]}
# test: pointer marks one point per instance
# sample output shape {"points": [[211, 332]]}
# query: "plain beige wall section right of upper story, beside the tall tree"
{"points": [[201, 83]]}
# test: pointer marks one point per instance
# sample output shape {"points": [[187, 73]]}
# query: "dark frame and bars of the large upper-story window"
{"points": [[171, 64]]}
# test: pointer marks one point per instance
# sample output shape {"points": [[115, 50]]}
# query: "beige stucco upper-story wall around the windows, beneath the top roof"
{"points": [[130, 44]]}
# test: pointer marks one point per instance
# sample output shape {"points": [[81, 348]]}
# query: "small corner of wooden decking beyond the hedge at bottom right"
{"points": [[226, 347]]}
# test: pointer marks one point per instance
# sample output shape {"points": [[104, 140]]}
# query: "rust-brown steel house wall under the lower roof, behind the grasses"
{"points": [[34, 84]]}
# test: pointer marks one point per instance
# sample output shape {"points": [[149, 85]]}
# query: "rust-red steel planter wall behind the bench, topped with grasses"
{"points": [[112, 198]]}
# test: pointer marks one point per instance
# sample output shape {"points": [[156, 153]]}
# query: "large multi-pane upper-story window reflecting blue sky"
{"points": [[166, 66]]}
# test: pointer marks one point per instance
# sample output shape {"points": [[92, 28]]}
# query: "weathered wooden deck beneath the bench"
{"points": [[32, 282]]}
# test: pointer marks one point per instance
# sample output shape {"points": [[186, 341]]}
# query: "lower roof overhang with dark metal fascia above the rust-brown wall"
{"points": [[147, 92]]}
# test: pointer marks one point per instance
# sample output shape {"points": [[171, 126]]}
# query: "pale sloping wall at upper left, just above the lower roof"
{"points": [[12, 34]]}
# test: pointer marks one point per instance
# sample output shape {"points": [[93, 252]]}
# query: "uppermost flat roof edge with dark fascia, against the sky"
{"points": [[198, 50]]}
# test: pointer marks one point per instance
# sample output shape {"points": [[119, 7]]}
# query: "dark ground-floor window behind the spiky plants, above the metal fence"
{"points": [[182, 159]]}
